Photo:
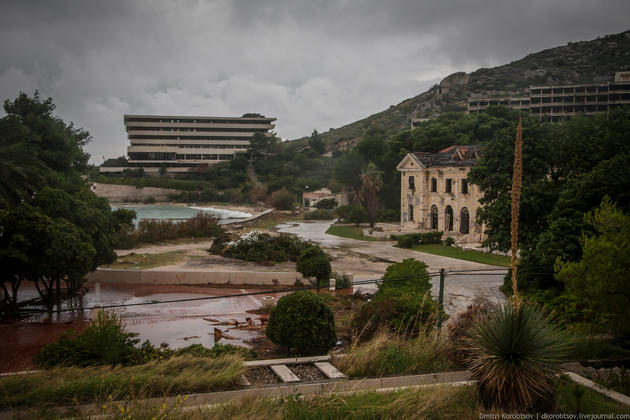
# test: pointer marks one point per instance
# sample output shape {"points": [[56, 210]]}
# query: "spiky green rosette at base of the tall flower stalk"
{"points": [[515, 352]]}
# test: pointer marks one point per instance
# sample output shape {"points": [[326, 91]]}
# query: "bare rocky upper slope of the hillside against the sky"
{"points": [[594, 61]]}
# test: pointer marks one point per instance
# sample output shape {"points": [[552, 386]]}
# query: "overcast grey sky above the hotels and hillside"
{"points": [[312, 64]]}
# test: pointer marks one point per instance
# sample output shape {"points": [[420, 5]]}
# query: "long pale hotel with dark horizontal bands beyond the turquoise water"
{"points": [[183, 143]]}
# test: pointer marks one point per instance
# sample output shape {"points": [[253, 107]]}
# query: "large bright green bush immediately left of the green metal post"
{"points": [[402, 304]]}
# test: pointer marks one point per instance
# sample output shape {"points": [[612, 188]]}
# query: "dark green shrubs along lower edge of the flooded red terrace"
{"points": [[105, 342]]}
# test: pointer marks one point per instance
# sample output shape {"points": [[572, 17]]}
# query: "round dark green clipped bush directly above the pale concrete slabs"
{"points": [[302, 322]]}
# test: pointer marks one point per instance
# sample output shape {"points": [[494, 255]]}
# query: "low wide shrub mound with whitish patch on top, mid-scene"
{"points": [[262, 247]]}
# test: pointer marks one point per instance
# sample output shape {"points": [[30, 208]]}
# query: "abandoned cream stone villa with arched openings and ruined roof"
{"points": [[435, 195]]}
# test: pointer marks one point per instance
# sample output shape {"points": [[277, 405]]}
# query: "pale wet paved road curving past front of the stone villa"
{"points": [[460, 290]]}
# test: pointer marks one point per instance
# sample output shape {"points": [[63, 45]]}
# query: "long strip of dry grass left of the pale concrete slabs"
{"points": [[68, 385]]}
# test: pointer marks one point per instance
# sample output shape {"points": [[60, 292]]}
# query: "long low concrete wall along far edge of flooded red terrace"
{"points": [[111, 276]]}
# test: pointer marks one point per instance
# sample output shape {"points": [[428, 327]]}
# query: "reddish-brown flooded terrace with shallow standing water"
{"points": [[177, 324]]}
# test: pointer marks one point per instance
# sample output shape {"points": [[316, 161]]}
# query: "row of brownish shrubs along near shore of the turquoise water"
{"points": [[152, 231]]}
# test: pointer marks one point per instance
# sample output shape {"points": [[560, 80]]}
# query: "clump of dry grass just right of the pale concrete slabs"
{"points": [[387, 354]]}
